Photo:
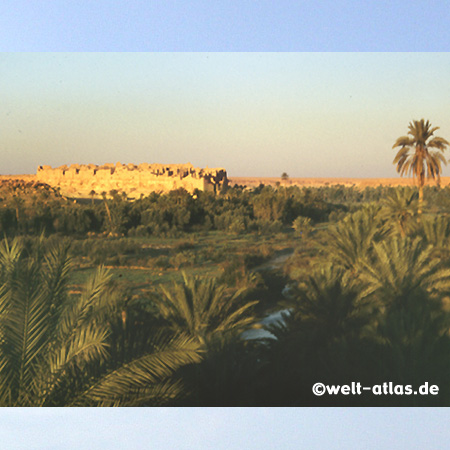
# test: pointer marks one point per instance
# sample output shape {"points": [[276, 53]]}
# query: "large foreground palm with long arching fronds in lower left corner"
{"points": [[54, 347]]}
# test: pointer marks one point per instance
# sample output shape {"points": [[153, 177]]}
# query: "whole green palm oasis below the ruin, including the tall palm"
{"points": [[367, 293]]}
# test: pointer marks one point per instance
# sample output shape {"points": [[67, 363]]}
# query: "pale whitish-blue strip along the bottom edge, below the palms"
{"points": [[225, 428]]}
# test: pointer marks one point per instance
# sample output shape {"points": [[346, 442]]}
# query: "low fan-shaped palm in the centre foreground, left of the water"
{"points": [[216, 320]]}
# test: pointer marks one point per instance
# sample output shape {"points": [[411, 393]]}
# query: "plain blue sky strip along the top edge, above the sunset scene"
{"points": [[224, 25]]}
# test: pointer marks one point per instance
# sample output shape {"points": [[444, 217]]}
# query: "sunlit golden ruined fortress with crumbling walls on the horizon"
{"points": [[81, 180]]}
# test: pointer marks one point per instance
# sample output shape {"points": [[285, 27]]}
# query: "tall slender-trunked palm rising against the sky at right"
{"points": [[416, 154]]}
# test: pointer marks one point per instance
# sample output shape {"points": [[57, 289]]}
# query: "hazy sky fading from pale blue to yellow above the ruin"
{"points": [[256, 114]]}
